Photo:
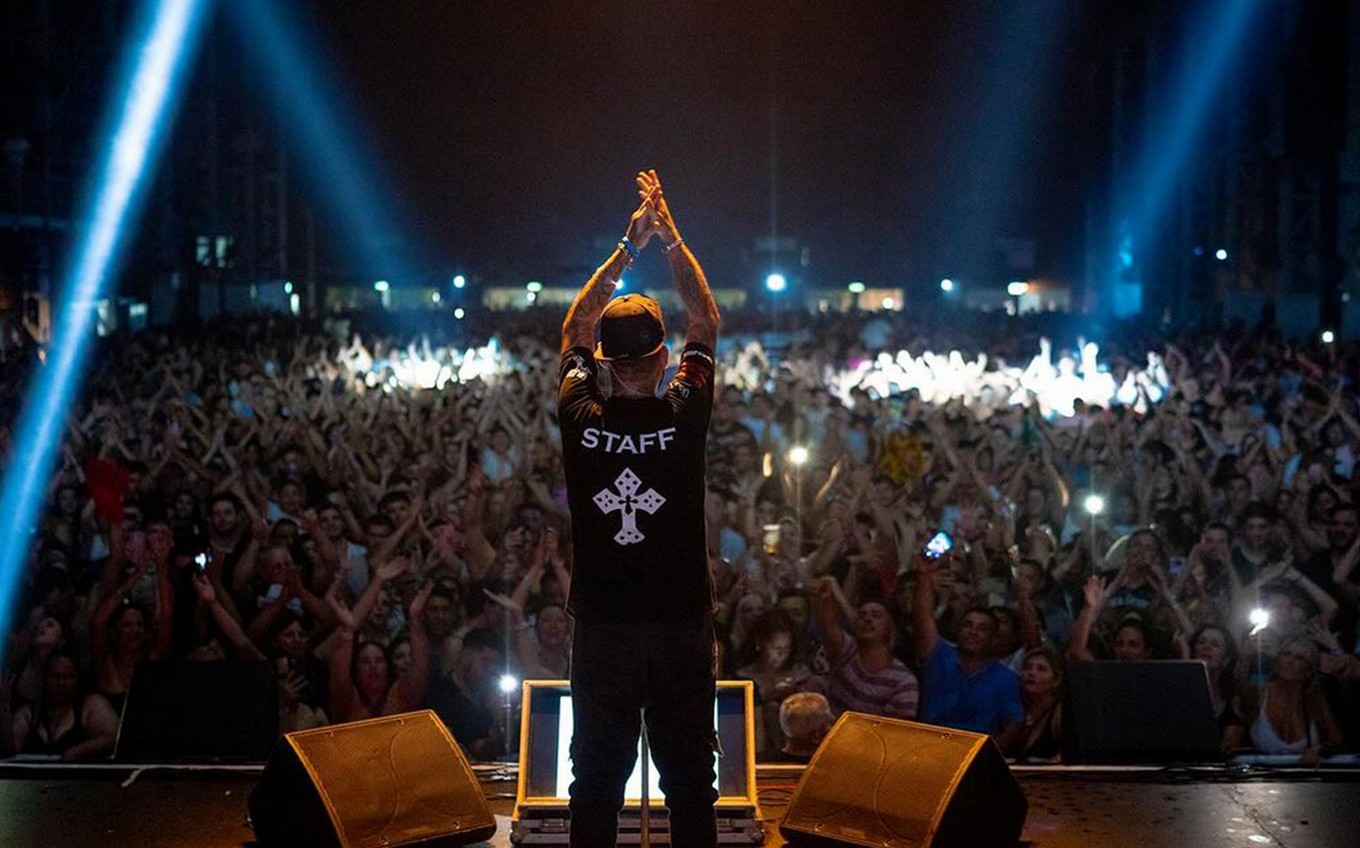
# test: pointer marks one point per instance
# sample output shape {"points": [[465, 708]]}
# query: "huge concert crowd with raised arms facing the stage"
{"points": [[380, 514]]}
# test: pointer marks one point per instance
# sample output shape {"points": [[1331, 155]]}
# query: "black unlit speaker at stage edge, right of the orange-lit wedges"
{"points": [[1150, 711]]}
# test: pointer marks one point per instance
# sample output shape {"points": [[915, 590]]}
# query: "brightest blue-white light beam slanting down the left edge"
{"points": [[148, 85]]}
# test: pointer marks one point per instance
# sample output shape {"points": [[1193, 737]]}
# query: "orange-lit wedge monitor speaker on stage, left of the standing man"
{"points": [[396, 781]]}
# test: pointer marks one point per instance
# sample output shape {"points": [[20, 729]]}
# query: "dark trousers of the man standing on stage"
{"points": [[624, 675]]}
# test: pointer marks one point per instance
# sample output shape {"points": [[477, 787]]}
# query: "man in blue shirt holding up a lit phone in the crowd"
{"points": [[964, 684]]}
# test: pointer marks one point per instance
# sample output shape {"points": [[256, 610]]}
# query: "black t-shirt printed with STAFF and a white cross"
{"points": [[636, 486]]}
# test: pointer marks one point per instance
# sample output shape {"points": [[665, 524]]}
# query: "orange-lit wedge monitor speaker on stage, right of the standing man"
{"points": [[885, 782]]}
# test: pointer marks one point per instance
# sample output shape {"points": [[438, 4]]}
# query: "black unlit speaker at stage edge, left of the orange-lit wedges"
{"points": [[180, 711]]}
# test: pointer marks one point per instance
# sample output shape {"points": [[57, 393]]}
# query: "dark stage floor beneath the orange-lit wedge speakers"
{"points": [[1070, 808]]}
